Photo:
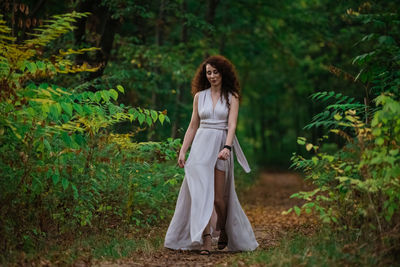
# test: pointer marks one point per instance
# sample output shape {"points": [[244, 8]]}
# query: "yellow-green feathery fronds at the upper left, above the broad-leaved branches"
{"points": [[23, 63]]}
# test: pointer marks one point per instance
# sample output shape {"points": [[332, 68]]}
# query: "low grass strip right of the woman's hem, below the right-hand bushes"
{"points": [[324, 248]]}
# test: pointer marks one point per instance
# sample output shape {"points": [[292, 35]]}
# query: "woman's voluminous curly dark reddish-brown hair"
{"points": [[230, 82]]}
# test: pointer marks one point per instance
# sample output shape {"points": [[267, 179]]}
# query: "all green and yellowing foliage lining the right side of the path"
{"points": [[357, 187]]}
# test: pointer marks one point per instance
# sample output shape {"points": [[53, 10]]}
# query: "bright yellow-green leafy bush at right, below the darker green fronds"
{"points": [[361, 178]]}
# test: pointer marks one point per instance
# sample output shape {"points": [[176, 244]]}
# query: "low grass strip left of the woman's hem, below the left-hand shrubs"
{"points": [[108, 245]]}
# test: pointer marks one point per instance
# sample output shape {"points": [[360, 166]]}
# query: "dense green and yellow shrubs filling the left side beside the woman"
{"points": [[62, 168]]}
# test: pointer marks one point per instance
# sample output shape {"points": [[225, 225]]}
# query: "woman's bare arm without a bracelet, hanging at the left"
{"points": [[190, 132]]}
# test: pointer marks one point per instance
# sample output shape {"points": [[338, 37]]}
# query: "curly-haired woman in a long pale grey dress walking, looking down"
{"points": [[209, 179]]}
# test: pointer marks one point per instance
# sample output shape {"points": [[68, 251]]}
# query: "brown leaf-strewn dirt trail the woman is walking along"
{"points": [[263, 204]]}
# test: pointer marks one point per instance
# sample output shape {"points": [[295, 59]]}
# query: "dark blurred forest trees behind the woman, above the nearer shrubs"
{"points": [[283, 51]]}
